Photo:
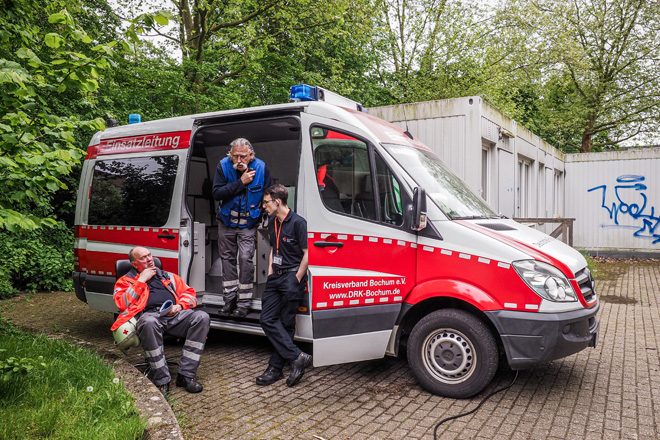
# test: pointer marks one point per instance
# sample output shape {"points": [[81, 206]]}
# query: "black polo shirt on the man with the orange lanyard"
{"points": [[293, 240]]}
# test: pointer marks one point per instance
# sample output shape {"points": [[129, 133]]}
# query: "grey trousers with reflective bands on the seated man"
{"points": [[191, 324]]}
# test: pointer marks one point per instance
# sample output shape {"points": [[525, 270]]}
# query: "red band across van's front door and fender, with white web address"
{"points": [[483, 282]]}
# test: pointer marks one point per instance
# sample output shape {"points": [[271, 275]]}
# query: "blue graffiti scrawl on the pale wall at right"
{"points": [[628, 207]]}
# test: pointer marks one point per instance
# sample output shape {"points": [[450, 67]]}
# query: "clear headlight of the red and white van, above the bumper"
{"points": [[547, 281]]}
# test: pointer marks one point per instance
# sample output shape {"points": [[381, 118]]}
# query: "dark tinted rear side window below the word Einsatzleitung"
{"points": [[132, 192]]}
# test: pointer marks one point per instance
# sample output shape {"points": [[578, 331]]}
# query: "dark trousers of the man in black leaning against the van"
{"points": [[279, 306]]}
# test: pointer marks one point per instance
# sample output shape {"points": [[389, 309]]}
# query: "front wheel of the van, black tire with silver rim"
{"points": [[452, 353]]}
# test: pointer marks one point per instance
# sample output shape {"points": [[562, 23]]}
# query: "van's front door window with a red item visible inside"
{"points": [[345, 180]]}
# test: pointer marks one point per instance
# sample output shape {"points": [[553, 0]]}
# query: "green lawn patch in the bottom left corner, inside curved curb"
{"points": [[75, 396]]}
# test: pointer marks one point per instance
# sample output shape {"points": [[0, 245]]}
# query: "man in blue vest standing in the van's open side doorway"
{"points": [[240, 180]]}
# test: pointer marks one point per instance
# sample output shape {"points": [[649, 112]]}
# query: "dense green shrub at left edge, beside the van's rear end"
{"points": [[38, 260]]}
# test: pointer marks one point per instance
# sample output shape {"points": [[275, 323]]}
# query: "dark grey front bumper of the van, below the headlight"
{"points": [[533, 338]]}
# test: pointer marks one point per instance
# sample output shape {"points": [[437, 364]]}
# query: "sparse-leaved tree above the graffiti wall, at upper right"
{"points": [[597, 62]]}
